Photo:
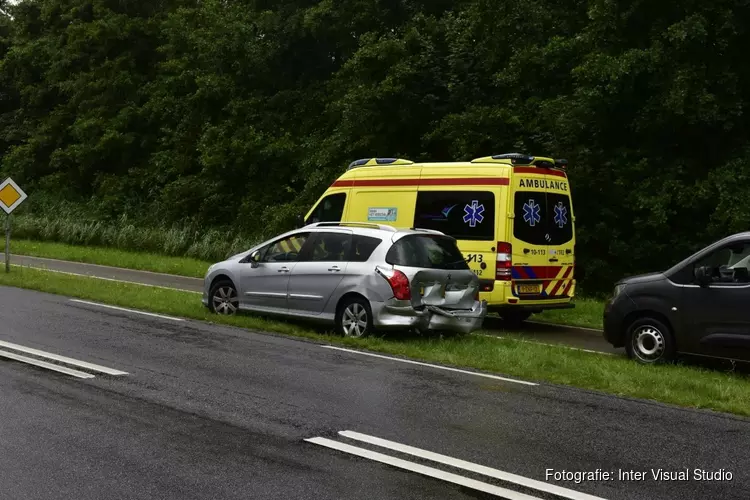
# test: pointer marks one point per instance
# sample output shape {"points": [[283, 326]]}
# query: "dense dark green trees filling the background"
{"points": [[229, 114]]}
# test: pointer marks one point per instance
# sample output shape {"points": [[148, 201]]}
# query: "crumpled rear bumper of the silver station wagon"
{"points": [[401, 314]]}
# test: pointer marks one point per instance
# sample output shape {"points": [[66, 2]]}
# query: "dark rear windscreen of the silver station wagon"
{"points": [[428, 251]]}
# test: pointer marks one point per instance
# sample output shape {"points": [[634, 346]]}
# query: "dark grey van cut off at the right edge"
{"points": [[700, 306]]}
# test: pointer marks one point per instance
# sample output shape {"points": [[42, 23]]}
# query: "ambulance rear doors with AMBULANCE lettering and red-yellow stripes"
{"points": [[541, 233]]}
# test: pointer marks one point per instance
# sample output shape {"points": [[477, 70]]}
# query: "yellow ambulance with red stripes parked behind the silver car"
{"points": [[511, 215]]}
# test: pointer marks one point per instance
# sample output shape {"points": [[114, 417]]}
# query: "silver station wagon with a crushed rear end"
{"points": [[361, 277]]}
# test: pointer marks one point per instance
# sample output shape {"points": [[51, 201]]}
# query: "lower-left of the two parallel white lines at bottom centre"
{"points": [[422, 469]]}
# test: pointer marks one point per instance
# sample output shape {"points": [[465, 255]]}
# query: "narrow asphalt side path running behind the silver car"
{"points": [[581, 338]]}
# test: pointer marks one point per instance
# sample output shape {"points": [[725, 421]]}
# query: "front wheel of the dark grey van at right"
{"points": [[649, 341]]}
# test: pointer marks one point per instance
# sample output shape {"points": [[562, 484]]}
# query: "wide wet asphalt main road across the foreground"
{"points": [[216, 412]]}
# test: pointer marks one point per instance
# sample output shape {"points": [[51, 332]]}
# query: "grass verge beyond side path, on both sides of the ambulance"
{"points": [[587, 313]]}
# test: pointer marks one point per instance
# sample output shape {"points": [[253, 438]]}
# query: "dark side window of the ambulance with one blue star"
{"points": [[465, 215]]}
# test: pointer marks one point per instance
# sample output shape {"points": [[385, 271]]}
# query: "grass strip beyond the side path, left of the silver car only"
{"points": [[184, 266]]}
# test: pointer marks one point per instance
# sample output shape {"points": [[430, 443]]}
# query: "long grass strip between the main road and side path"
{"points": [[685, 386]]}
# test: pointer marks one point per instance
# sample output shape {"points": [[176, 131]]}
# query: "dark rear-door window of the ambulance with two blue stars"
{"points": [[542, 218]]}
